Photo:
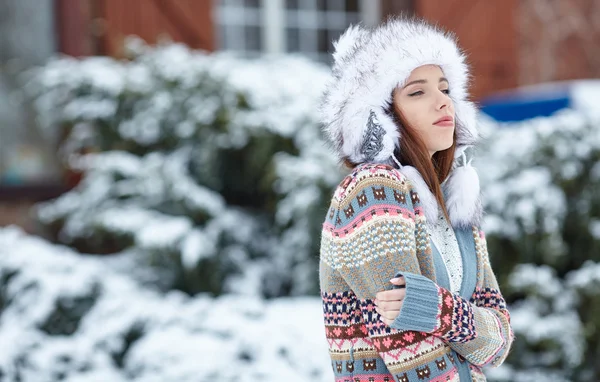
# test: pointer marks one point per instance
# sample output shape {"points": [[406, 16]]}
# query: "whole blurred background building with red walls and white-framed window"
{"points": [[510, 43]]}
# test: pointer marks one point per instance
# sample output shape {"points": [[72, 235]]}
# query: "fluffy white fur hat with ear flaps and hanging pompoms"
{"points": [[368, 65]]}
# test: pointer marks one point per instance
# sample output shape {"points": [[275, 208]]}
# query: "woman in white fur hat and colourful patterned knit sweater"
{"points": [[408, 291]]}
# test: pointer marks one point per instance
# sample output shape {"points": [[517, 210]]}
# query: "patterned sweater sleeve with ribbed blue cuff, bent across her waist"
{"points": [[477, 329]]}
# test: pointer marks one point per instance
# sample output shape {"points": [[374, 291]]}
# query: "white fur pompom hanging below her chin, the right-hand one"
{"points": [[462, 197]]}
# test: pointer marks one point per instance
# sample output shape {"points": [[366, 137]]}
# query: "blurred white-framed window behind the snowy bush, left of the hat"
{"points": [[275, 26]]}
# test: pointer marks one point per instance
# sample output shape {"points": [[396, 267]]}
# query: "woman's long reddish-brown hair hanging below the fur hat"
{"points": [[413, 152]]}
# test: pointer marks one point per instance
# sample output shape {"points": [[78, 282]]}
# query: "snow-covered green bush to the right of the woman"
{"points": [[541, 181]]}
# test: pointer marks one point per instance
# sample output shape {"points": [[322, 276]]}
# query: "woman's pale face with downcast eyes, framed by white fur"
{"points": [[425, 104]]}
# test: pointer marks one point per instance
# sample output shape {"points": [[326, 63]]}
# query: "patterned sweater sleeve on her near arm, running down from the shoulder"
{"points": [[368, 236]]}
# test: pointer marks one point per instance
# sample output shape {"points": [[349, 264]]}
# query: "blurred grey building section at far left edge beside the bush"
{"points": [[29, 170]]}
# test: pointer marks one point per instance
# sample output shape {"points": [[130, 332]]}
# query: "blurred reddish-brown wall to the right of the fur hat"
{"points": [[511, 43]]}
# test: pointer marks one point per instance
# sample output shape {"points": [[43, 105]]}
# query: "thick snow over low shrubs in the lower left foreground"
{"points": [[111, 329]]}
